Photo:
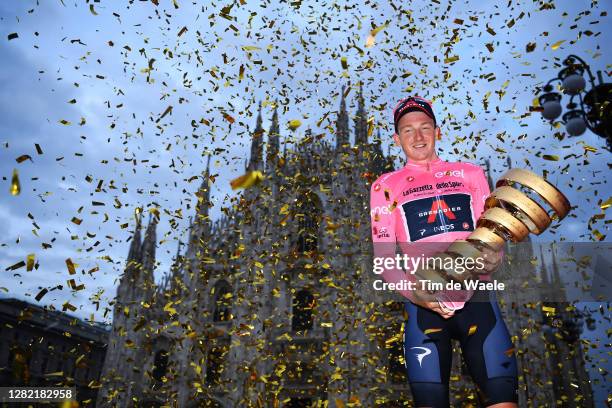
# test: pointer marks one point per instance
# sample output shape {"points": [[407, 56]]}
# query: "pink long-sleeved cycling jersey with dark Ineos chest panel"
{"points": [[436, 202]]}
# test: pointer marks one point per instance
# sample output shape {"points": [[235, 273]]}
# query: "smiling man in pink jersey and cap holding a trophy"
{"points": [[423, 207]]}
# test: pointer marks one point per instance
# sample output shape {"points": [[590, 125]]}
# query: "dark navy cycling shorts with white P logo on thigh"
{"points": [[485, 344]]}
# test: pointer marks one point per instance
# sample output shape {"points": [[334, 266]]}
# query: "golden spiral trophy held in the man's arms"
{"points": [[510, 214]]}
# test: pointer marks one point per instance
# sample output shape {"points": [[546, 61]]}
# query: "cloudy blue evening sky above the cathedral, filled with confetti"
{"points": [[99, 57]]}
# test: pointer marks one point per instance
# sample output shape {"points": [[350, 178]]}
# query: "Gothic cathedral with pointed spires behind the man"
{"points": [[265, 306]]}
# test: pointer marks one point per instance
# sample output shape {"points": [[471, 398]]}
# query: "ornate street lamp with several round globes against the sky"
{"points": [[595, 109]]}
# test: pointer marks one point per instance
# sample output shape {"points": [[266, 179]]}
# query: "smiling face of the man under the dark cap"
{"points": [[416, 135]]}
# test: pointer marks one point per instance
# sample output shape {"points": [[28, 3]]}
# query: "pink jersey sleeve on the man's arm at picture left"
{"points": [[383, 214]]}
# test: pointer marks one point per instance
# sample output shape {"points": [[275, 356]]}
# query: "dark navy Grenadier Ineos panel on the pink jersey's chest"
{"points": [[436, 215]]}
